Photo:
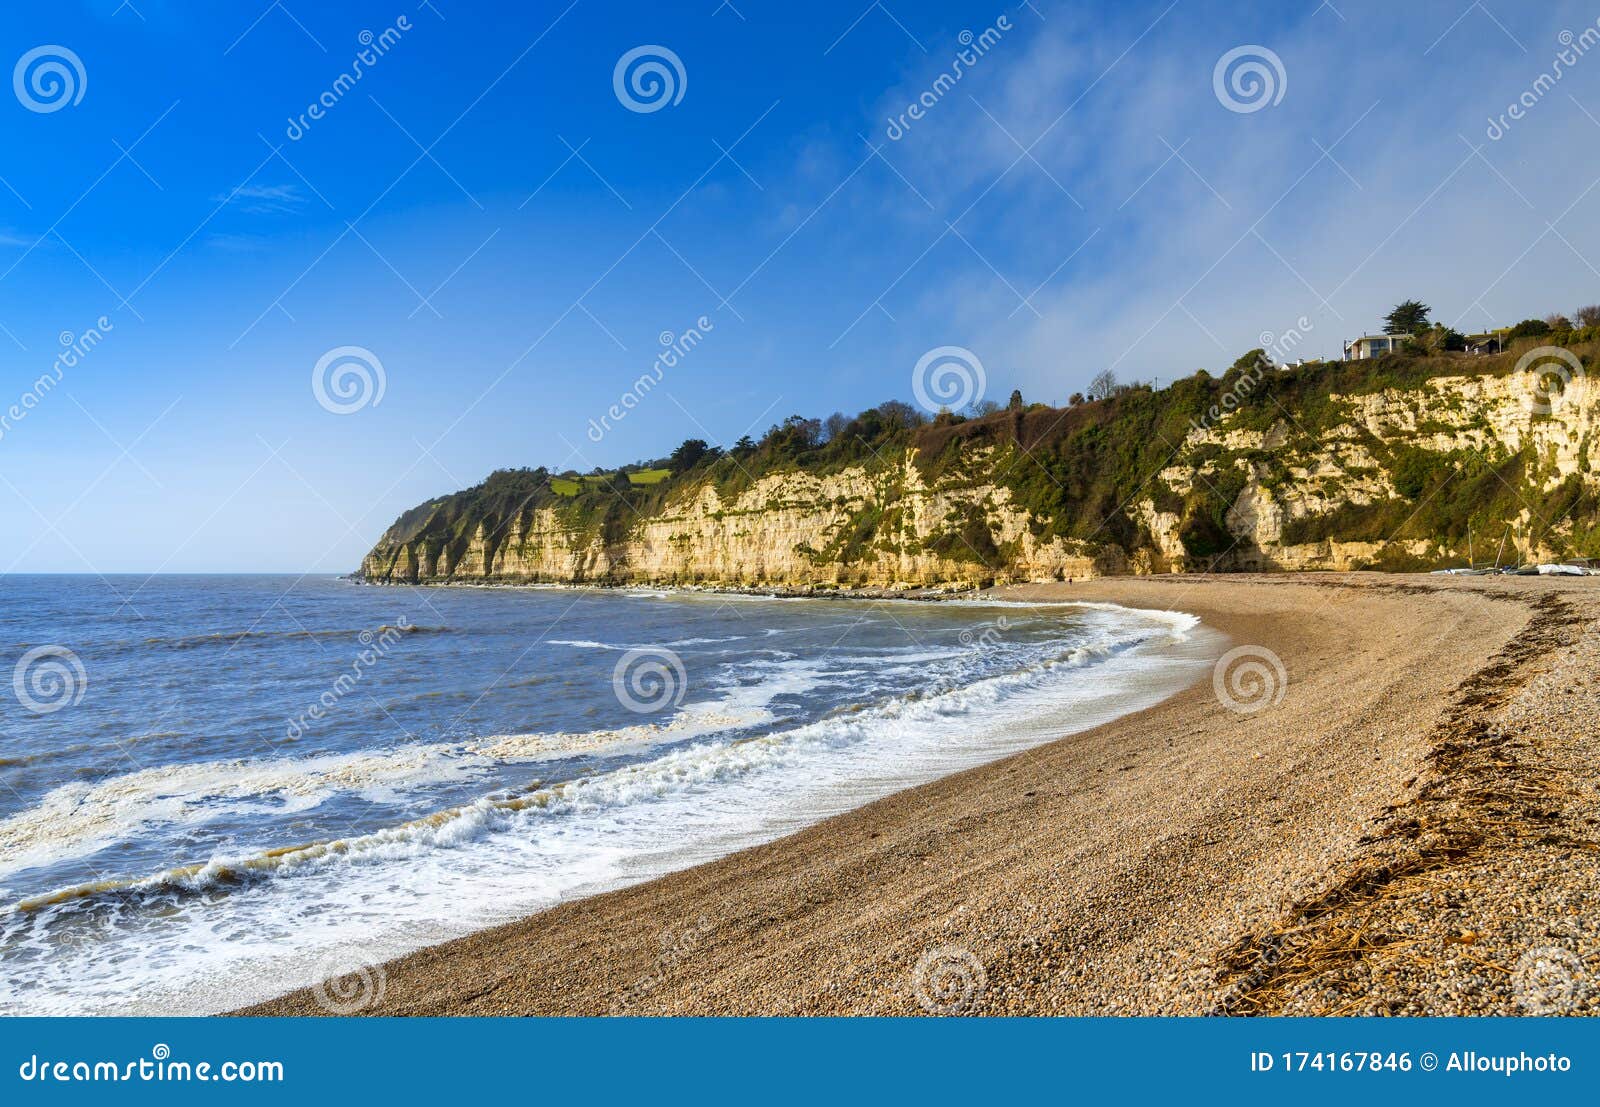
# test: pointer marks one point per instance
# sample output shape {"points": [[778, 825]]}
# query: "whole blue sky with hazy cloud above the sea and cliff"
{"points": [[287, 327]]}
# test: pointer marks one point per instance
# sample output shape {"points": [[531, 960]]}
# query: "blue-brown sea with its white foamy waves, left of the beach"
{"points": [[220, 788]]}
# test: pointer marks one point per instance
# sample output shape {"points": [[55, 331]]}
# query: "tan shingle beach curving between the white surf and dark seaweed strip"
{"points": [[1159, 863]]}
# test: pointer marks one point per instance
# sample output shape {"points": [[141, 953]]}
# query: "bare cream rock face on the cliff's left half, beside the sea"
{"points": [[791, 530]]}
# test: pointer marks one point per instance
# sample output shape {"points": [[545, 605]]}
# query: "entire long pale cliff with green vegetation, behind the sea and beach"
{"points": [[1407, 468]]}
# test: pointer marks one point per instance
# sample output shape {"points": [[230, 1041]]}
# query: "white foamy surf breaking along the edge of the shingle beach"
{"points": [[719, 775]]}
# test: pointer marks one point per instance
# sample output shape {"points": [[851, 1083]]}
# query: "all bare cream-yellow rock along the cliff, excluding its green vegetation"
{"points": [[889, 527]]}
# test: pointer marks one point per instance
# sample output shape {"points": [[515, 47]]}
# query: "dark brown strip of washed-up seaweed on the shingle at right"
{"points": [[1489, 791]]}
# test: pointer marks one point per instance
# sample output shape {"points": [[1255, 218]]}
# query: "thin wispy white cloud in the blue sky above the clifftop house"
{"points": [[1249, 226]]}
